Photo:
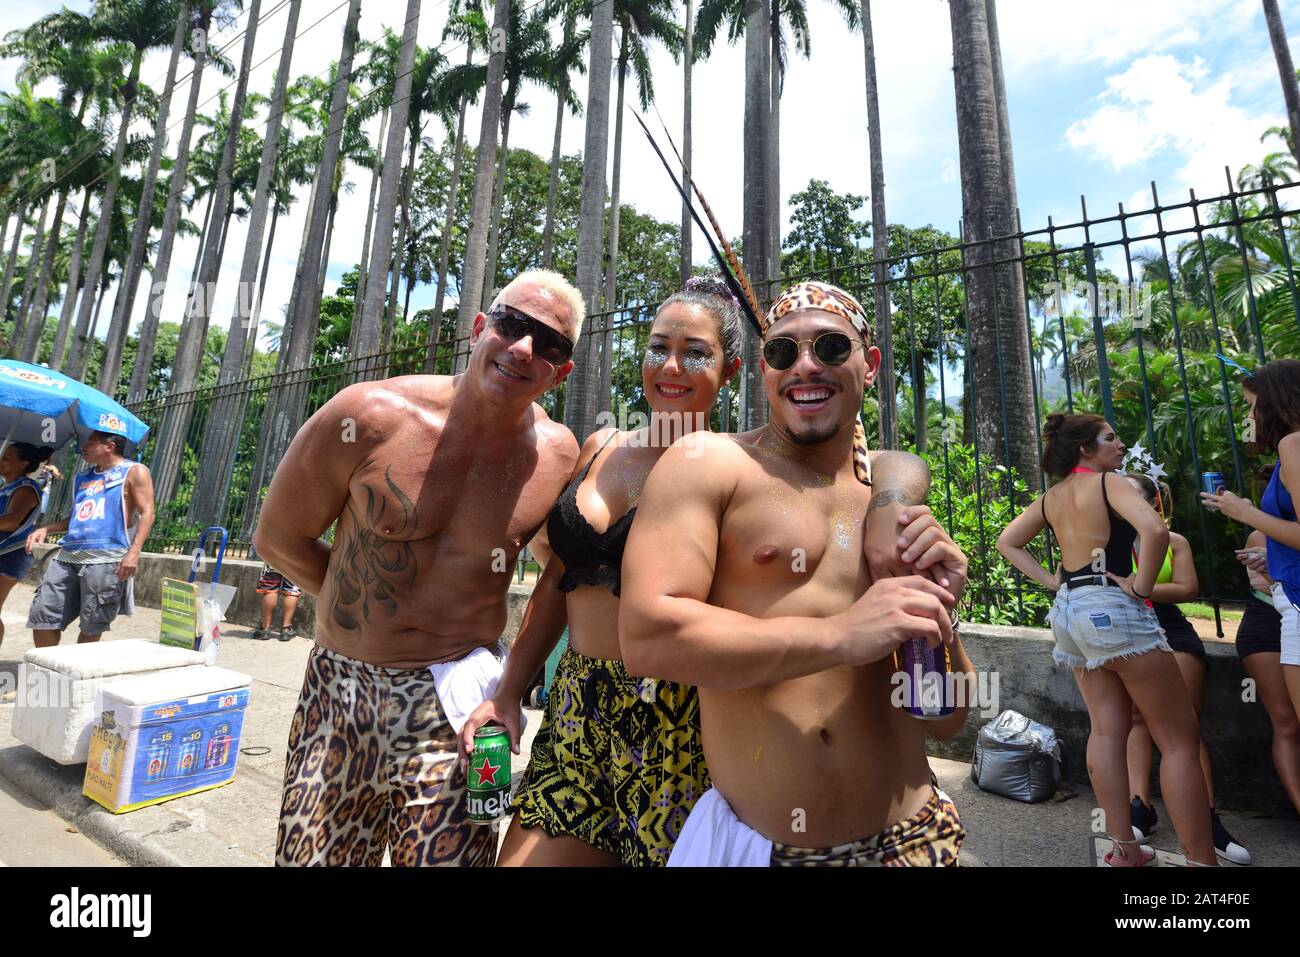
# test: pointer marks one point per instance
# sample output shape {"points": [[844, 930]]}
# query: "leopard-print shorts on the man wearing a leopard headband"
{"points": [[931, 838]]}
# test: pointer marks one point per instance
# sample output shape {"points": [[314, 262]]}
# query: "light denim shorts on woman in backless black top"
{"points": [[1095, 623]]}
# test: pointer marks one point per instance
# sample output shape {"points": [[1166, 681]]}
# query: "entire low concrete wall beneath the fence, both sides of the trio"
{"points": [[1238, 734]]}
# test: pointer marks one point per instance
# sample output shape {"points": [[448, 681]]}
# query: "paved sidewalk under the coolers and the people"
{"points": [[236, 825]]}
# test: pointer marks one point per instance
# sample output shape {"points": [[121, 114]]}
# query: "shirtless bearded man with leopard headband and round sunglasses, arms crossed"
{"points": [[747, 575]]}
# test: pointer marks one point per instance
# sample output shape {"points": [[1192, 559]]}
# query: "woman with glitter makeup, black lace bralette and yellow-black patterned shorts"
{"points": [[618, 764]]}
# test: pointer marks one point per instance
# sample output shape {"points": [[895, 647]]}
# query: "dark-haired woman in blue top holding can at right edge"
{"points": [[1273, 392]]}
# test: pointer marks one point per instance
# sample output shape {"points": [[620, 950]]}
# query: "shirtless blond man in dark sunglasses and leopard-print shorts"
{"points": [[436, 483]]}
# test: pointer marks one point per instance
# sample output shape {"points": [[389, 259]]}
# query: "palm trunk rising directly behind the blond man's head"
{"points": [[480, 207]]}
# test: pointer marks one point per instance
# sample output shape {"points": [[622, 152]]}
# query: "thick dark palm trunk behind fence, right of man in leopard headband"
{"points": [[1000, 349]]}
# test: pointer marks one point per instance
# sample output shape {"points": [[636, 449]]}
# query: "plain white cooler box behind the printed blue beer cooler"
{"points": [[58, 688]]}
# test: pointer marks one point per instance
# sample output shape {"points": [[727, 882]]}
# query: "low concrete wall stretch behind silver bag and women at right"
{"points": [[1238, 734]]}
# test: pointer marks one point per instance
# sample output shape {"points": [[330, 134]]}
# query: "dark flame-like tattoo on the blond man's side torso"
{"points": [[369, 566]]}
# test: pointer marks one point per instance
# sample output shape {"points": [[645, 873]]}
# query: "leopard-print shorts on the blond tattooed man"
{"points": [[372, 767]]}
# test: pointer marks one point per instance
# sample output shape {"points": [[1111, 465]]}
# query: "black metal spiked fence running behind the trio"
{"points": [[1125, 314]]}
